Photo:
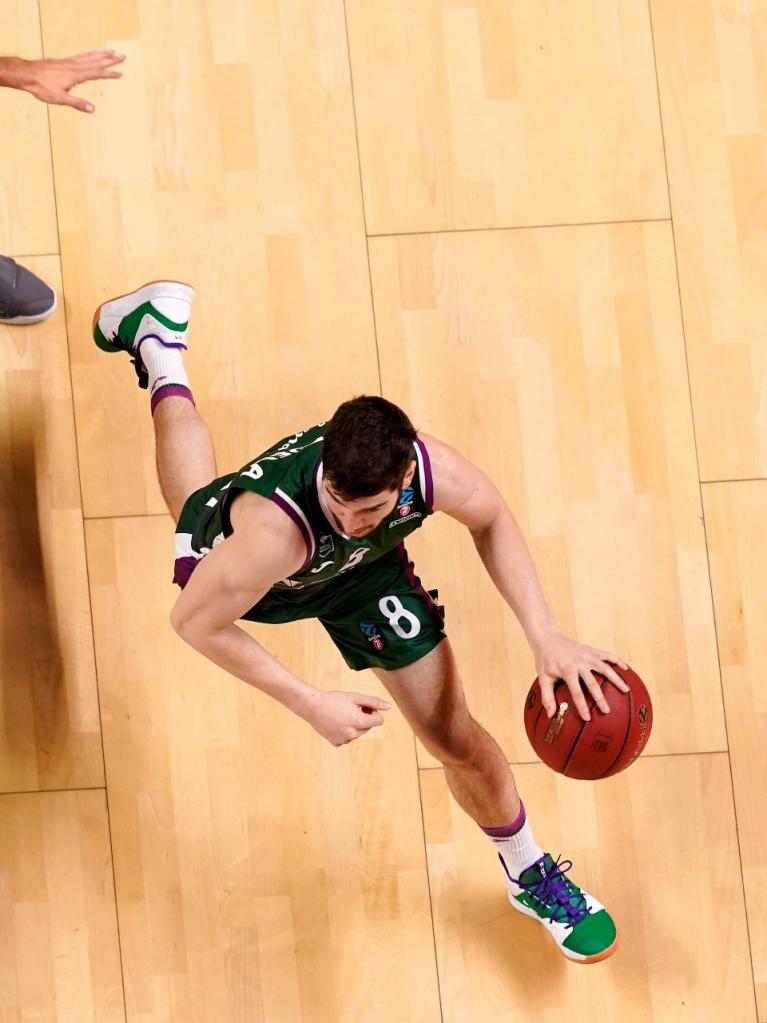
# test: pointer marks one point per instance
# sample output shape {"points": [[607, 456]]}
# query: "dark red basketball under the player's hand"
{"points": [[590, 750]]}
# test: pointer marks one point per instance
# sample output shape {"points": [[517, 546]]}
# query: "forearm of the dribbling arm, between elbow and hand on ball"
{"points": [[508, 560]]}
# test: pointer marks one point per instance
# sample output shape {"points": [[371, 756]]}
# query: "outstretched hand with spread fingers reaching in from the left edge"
{"points": [[51, 79]]}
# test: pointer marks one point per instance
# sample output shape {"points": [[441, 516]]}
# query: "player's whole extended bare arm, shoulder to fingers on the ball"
{"points": [[466, 494]]}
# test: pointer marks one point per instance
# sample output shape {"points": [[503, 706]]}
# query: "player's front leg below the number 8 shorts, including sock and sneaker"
{"points": [[431, 697]]}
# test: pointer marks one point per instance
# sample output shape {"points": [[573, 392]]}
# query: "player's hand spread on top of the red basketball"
{"points": [[558, 657]]}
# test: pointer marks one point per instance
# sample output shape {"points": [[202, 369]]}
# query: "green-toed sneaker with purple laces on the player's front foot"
{"points": [[579, 924]]}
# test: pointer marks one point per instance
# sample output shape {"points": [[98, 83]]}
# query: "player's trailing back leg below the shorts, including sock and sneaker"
{"points": [[151, 325]]}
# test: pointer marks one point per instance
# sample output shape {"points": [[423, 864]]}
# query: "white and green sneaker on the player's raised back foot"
{"points": [[159, 310]]}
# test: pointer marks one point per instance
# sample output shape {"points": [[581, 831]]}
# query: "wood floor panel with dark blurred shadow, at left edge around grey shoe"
{"points": [[50, 729]]}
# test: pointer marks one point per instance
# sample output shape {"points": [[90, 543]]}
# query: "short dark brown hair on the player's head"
{"points": [[368, 447]]}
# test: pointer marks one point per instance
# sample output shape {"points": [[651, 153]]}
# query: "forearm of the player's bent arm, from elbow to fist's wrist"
{"points": [[237, 652]]}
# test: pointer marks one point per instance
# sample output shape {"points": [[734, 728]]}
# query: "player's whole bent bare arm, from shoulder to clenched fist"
{"points": [[265, 548]]}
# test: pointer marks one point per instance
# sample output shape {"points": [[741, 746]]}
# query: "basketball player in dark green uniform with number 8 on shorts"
{"points": [[314, 528]]}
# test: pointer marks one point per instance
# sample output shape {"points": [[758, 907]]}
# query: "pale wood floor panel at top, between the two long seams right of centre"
{"points": [[498, 115]]}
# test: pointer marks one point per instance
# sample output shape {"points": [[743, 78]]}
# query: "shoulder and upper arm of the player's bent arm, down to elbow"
{"points": [[265, 548]]}
